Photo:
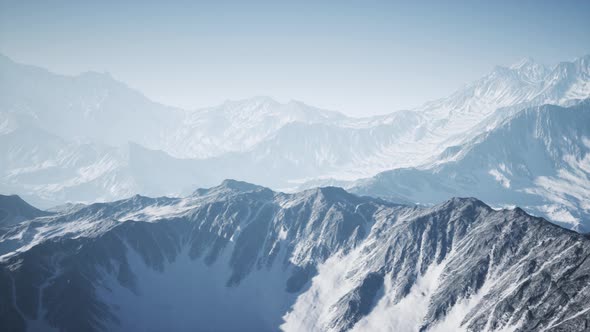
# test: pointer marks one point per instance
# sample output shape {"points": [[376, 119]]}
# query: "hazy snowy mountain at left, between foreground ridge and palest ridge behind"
{"points": [[48, 170]]}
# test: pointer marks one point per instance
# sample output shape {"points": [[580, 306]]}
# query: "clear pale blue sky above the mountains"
{"points": [[359, 57]]}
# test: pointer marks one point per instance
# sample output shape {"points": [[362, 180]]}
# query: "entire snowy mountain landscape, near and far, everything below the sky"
{"points": [[112, 234]]}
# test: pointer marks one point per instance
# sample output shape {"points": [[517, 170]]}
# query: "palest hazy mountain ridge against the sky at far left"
{"points": [[89, 107]]}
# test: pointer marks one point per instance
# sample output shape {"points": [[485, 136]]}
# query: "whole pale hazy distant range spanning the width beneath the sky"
{"points": [[92, 125]]}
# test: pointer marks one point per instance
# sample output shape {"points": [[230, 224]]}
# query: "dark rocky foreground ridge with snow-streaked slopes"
{"points": [[242, 257]]}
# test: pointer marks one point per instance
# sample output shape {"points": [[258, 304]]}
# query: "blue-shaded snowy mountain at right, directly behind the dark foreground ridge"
{"points": [[538, 159]]}
